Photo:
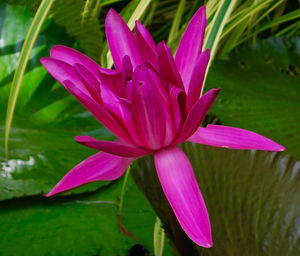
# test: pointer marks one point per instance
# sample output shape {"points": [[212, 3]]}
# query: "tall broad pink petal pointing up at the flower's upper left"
{"points": [[121, 40]]}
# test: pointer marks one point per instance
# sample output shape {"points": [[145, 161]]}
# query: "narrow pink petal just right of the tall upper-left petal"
{"points": [[146, 43]]}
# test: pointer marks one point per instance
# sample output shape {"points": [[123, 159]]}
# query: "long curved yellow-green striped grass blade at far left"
{"points": [[22, 63]]}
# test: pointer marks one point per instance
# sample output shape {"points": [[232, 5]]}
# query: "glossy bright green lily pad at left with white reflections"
{"points": [[41, 145]]}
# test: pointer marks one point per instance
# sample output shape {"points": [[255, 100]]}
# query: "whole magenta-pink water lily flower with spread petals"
{"points": [[151, 102]]}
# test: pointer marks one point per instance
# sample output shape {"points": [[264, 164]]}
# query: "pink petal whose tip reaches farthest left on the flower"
{"points": [[62, 71]]}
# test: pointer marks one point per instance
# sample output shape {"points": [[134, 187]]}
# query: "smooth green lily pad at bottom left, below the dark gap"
{"points": [[82, 225]]}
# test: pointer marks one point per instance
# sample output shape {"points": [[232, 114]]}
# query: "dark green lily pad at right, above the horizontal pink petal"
{"points": [[260, 90]]}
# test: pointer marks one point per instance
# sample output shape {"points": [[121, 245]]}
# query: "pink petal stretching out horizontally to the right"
{"points": [[235, 138]]}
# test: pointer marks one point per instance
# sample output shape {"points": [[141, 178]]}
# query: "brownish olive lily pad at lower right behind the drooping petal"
{"points": [[253, 199]]}
